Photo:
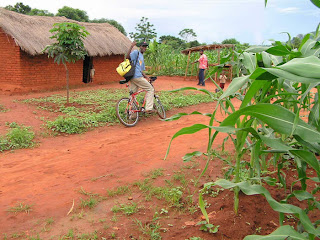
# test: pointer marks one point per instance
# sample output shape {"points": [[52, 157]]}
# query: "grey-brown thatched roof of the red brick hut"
{"points": [[31, 34]]}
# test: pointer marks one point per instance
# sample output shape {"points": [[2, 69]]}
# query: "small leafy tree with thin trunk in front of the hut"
{"points": [[68, 47]]}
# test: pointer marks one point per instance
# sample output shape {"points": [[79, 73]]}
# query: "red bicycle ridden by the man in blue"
{"points": [[128, 108]]}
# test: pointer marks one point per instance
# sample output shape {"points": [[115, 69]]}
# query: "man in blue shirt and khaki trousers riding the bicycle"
{"points": [[139, 79]]}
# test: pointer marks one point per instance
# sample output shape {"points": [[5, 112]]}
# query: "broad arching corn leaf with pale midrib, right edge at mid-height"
{"points": [[278, 118]]}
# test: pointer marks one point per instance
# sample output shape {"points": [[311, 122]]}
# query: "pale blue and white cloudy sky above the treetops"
{"points": [[248, 21]]}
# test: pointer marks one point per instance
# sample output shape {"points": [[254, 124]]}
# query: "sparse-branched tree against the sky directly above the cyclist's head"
{"points": [[144, 31]]}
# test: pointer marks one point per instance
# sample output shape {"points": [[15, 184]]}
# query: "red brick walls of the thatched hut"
{"points": [[23, 72]]}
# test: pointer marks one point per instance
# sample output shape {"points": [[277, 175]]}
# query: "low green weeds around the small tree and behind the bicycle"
{"points": [[94, 108]]}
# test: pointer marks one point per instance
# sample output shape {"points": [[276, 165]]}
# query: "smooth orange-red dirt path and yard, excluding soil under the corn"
{"points": [[49, 176]]}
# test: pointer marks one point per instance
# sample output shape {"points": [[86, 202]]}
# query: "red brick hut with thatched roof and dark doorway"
{"points": [[24, 67]]}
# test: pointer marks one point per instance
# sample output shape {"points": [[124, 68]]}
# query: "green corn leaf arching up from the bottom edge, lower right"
{"points": [[282, 233]]}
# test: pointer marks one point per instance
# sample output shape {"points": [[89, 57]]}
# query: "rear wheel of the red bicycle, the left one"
{"points": [[127, 113]]}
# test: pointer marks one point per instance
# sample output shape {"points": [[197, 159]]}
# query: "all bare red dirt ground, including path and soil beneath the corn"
{"points": [[49, 176]]}
